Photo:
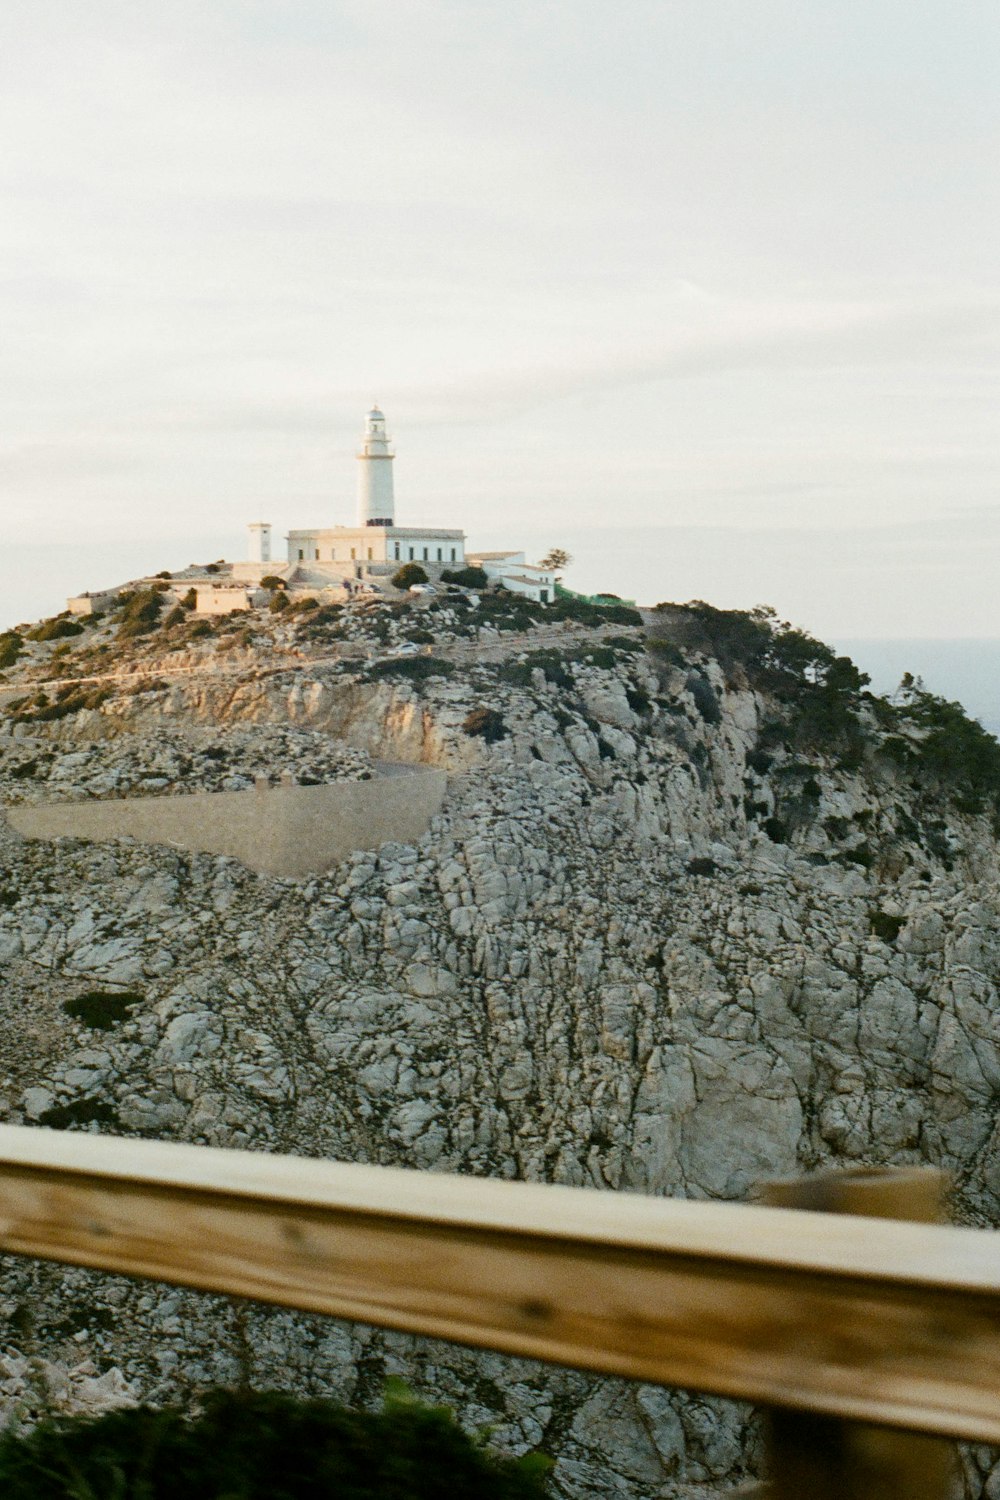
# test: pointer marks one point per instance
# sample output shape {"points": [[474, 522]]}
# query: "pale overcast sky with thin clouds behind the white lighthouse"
{"points": [[705, 290]]}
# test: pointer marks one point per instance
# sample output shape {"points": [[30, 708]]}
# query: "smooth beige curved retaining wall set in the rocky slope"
{"points": [[283, 830]]}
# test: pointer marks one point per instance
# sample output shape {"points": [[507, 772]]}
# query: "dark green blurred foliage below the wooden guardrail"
{"points": [[265, 1447]]}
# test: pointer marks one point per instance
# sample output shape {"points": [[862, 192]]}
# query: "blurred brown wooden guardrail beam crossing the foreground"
{"points": [[864, 1319]]}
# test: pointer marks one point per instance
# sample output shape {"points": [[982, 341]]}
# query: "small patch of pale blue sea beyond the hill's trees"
{"points": [[965, 671]]}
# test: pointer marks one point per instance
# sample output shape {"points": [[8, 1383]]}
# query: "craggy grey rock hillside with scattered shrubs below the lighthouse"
{"points": [[698, 911]]}
